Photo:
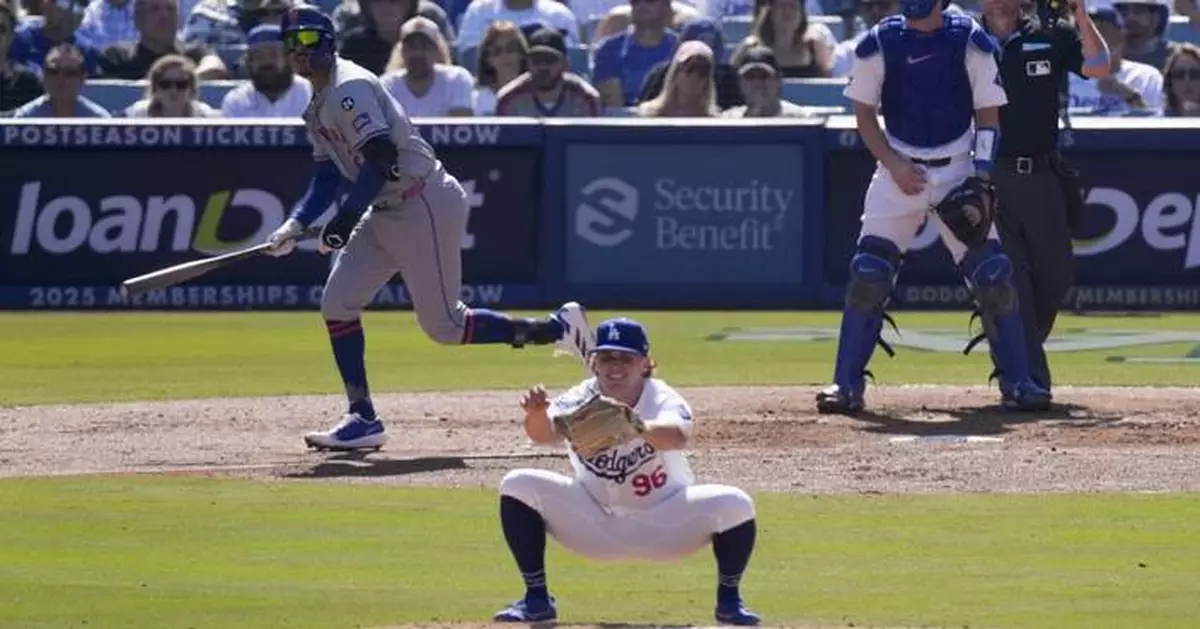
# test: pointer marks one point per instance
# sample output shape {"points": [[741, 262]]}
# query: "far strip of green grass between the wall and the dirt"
{"points": [[88, 358]]}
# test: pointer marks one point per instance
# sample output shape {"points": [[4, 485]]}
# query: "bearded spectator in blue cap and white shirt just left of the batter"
{"points": [[273, 91]]}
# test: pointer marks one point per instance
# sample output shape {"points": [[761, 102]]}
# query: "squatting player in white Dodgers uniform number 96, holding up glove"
{"points": [[633, 495]]}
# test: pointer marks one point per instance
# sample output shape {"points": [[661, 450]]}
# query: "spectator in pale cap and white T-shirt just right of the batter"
{"points": [[428, 85]]}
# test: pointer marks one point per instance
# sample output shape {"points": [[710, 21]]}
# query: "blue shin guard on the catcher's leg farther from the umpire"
{"points": [[873, 274]]}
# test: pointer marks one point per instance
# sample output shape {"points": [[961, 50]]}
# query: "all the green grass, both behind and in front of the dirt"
{"points": [[167, 553]]}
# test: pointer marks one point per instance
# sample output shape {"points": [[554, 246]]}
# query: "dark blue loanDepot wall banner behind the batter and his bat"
{"points": [[80, 223]]}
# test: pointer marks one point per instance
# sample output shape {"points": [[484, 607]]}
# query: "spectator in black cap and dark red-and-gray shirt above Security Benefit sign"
{"points": [[549, 89]]}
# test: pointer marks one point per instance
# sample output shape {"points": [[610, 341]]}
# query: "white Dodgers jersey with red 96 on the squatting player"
{"points": [[635, 475]]}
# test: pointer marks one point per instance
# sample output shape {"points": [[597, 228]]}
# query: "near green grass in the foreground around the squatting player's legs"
{"points": [[176, 553]]}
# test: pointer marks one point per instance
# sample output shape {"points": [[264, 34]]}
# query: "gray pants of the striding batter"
{"points": [[421, 239]]}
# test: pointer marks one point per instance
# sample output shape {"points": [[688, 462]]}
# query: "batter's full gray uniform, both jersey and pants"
{"points": [[413, 227]]}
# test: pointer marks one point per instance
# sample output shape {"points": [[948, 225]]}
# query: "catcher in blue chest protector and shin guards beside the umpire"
{"points": [[932, 76]]}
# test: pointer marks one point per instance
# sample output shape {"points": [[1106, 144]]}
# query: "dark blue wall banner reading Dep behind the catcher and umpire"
{"points": [[1138, 244]]}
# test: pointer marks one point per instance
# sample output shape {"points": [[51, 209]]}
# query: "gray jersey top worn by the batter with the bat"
{"points": [[355, 109]]}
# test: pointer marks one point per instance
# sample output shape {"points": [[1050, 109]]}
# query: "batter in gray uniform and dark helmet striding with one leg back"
{"points": [[415, 226]]}
